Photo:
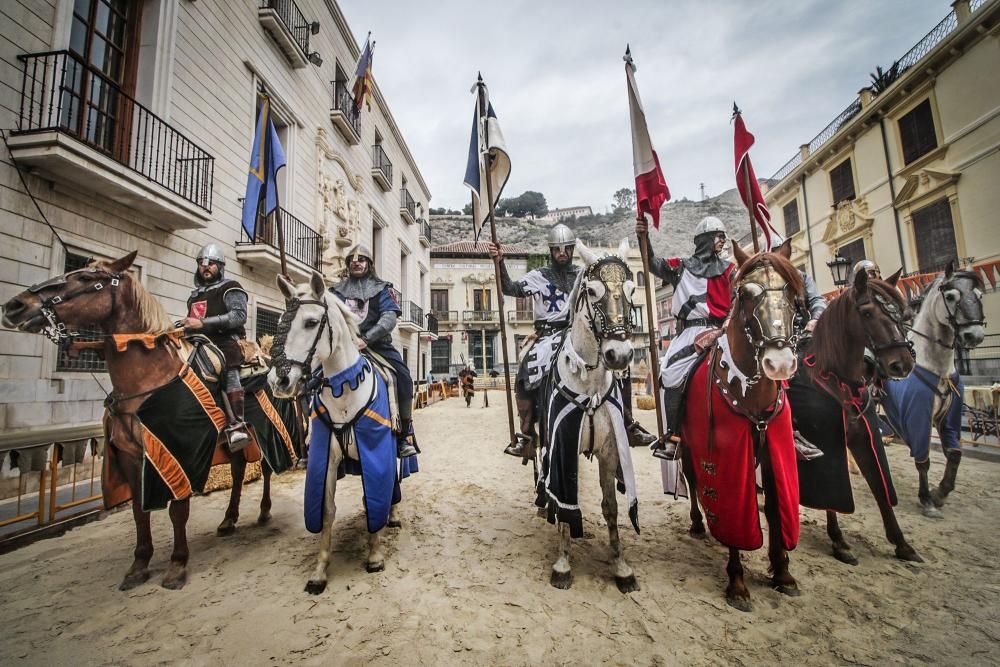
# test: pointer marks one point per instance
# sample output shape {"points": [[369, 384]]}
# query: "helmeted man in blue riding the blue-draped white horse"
{"points": [[373, 302]]}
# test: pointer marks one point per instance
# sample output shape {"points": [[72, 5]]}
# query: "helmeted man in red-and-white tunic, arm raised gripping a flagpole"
{"points": [[702, 298]]}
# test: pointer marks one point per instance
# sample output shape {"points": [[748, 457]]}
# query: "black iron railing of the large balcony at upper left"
{"points": [[61, 92]]}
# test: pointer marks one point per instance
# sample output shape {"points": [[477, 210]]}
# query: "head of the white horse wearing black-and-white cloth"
{"points": [[602, 297]]}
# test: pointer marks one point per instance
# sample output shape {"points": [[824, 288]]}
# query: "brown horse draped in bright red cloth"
{"points": [[736, 418]]}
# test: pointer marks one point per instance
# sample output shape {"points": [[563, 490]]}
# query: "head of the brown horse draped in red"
{"points": [[766, 294]]}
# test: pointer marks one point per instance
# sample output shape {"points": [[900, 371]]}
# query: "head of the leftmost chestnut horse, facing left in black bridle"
{"points": [[87, 296]]}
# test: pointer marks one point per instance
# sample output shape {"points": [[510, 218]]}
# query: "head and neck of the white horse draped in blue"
{"points": [[313, 327]]}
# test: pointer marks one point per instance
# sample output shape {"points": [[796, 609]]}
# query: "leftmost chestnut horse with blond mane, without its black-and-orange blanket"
{"points": [[107, 295]]}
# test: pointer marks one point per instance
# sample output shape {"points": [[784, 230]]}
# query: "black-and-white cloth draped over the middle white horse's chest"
{"points": [[557, 489]]}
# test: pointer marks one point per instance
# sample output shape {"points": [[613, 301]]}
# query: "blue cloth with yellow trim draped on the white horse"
{"points": [[372, 430]]}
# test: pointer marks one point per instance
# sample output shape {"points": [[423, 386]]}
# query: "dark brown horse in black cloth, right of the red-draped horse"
{"points": [[833, 399]]}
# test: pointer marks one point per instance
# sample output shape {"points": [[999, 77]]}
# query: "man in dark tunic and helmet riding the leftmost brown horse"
{"points": [[217, 308]]}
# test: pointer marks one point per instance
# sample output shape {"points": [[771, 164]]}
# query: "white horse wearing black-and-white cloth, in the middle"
{"points": [[598, 344]]}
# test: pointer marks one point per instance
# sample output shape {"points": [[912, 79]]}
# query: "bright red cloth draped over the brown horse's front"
{"points": [[722, 451]]}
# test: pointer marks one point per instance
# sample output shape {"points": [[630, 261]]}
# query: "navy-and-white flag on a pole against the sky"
{"points": [[488, 161]]}
